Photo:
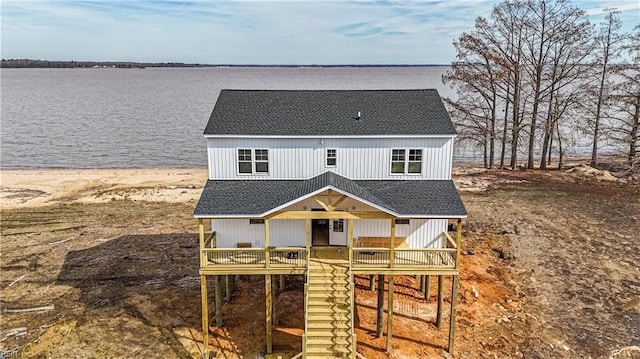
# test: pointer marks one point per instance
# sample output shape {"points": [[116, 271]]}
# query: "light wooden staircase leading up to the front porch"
{"points": [[329, 333]]}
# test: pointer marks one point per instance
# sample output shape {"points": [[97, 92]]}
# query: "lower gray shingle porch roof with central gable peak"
{"points": [[400, 198]]}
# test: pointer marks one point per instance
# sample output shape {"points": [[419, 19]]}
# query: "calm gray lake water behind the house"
{"points": [[154, 117]]}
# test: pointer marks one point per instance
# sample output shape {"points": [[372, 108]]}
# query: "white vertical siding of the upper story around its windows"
{"points": [[304, 158]]}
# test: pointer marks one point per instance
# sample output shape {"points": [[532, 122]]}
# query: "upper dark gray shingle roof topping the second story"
{"points": [[329, 113]]}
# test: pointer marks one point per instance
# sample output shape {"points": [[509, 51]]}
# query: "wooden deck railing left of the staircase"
{"points": [[288, 257]]}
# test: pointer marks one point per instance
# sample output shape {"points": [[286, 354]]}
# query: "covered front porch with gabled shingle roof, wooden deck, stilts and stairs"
{"points": [[377, 228]]}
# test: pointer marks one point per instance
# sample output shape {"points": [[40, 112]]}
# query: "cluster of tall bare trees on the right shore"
{"points": [[536, 77]]}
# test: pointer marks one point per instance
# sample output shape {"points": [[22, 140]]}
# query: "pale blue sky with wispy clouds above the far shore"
{"points": [[252, 32]]}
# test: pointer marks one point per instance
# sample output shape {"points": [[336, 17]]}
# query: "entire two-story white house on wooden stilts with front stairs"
{"points": [[329, 184]]}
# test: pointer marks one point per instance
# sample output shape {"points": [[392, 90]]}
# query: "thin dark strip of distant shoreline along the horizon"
{"points": [[30, 63]]}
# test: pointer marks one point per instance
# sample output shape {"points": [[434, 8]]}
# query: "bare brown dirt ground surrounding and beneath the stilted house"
{"points": [[551, 269]]}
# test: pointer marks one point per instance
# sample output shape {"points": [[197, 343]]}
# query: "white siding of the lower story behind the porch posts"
{"points": [[419, 233]]}
